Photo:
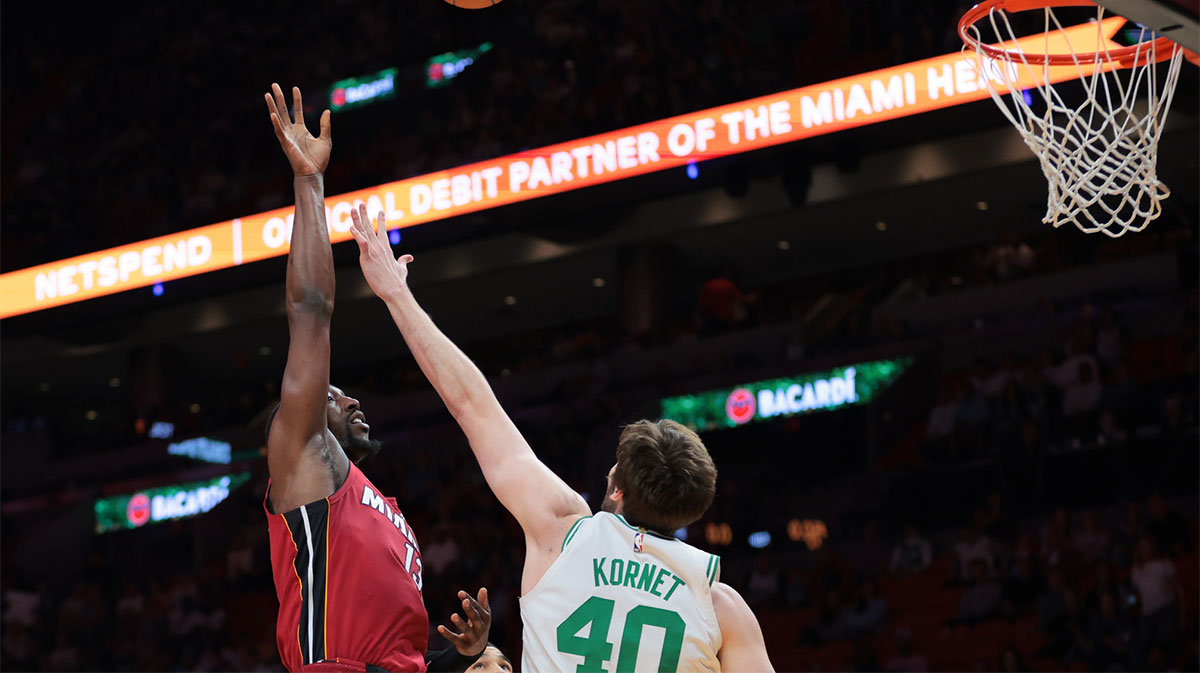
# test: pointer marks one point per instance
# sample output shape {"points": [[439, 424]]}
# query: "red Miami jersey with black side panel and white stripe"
{"points": [[349, 576]]}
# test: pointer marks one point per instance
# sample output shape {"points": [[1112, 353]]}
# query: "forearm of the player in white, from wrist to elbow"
{"points": [[457, 380]]}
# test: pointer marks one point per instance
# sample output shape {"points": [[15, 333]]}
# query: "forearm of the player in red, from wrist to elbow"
{"points": [[310, 278]]}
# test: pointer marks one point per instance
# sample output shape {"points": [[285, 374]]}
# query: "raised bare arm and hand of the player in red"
{"points": [[301, 425]]}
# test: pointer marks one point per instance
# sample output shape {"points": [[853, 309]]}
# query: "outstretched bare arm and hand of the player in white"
{"points": [[543, 504]]}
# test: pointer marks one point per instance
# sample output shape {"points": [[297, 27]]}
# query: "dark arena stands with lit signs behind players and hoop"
{"points": [[950, 437]]}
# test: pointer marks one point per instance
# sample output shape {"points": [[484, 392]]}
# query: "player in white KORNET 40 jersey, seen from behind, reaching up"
{"points": [[611, 592]]}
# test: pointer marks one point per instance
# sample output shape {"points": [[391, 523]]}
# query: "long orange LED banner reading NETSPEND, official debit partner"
{"points": [[737, 128]]}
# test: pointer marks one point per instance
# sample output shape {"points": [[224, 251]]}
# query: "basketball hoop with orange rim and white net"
{"points": [[1100, 152]]}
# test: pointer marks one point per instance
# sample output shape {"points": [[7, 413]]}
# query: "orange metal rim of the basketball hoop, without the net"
{"points": [[1138, 55]]}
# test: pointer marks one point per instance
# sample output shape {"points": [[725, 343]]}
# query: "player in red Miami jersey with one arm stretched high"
{"points": [[347, 567]]}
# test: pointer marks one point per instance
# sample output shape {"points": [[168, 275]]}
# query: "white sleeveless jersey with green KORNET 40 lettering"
{"points": [[619, 599]]}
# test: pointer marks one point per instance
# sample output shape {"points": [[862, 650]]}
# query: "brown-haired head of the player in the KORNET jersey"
{"points": [[664, 478]]}
